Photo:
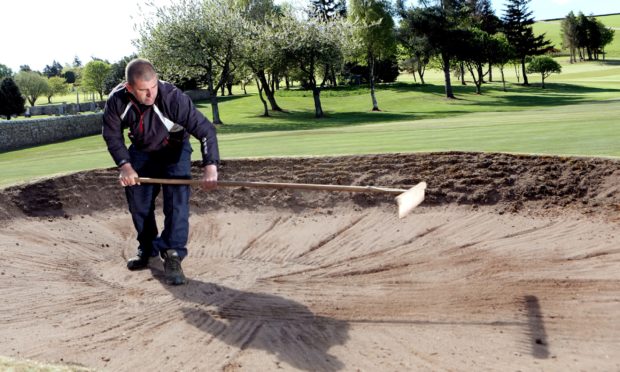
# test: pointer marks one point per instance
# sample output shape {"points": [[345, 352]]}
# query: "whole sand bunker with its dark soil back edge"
{"points": [[513, 262]]}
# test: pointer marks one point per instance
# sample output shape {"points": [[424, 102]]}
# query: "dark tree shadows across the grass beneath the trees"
{"points": [[493, 98]]}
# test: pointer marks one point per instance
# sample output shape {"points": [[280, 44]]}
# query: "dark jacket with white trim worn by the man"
{"points": [[168, 122]]}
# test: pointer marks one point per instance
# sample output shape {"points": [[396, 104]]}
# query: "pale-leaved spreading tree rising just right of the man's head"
{"points": [[195, 39]]}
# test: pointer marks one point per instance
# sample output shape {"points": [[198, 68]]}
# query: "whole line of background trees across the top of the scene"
{"points": [[214, 44]]}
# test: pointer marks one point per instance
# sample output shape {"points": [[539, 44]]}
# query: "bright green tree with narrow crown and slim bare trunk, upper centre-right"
{"points": [[374, 35]]}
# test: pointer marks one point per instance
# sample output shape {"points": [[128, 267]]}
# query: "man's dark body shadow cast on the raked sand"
{"points": [[248, 320]]}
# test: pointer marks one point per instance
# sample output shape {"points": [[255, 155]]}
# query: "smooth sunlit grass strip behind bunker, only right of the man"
{"points": [[585, 130]]}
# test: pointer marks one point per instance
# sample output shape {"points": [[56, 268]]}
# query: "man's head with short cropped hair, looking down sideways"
{"points": [[142, 80]]}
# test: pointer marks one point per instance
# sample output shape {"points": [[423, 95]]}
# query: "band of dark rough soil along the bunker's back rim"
{"points": [[508, 182]]}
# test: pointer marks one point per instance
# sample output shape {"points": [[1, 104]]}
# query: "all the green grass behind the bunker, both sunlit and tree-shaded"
{"points": [[565, 119]]}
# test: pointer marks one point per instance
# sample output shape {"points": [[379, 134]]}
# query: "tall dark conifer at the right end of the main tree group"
{"points": [[518, 23]]}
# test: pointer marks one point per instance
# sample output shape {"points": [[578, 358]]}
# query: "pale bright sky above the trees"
{"points": [[38, 32]]}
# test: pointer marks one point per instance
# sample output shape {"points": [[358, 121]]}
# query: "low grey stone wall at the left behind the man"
{"points": [[16, 134]]}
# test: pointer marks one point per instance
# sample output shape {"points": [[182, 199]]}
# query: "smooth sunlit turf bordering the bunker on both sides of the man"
{"points": [[587, 129]]}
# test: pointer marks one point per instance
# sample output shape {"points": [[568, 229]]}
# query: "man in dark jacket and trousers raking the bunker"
{"points": [[160, 119]]}
